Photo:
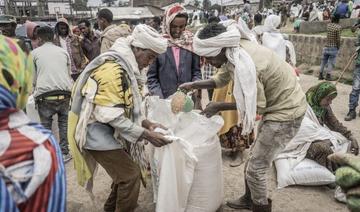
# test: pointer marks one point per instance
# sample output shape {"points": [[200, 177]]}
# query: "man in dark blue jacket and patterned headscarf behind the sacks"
{"points": [[178, 64]]}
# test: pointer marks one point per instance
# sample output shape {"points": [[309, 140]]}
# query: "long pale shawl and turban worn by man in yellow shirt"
{"points": [[121, 52]]}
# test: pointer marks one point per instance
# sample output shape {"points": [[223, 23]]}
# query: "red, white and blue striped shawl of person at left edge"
{"points": [[50, 196]]}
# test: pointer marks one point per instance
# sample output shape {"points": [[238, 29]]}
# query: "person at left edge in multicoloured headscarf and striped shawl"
{"points": [[27, 150]]}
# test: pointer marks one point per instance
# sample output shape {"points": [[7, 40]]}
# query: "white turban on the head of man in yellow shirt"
{"points": [[146, 37]]}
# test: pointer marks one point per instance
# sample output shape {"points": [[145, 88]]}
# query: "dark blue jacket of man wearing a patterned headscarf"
{"points": [[163, 78]]}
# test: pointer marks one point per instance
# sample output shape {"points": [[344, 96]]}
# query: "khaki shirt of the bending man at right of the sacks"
{"points": [[279, 95]]}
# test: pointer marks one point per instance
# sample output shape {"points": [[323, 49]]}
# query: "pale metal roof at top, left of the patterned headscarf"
{"points": [[130, 12]]}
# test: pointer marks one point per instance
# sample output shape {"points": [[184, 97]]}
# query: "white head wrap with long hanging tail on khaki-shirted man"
{"points": [[244, 72]]}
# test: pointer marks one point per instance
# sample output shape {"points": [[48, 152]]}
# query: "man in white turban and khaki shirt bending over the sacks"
{"points": [[264, 84]]}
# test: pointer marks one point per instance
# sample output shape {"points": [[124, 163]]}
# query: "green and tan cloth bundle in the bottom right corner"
{"points": [[348, 178]]}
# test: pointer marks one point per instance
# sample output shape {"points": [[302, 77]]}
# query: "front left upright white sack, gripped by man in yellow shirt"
{"points": [[174, 166]]}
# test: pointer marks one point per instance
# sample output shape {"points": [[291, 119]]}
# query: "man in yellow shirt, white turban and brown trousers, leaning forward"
{"points": [[105, 122]]}
